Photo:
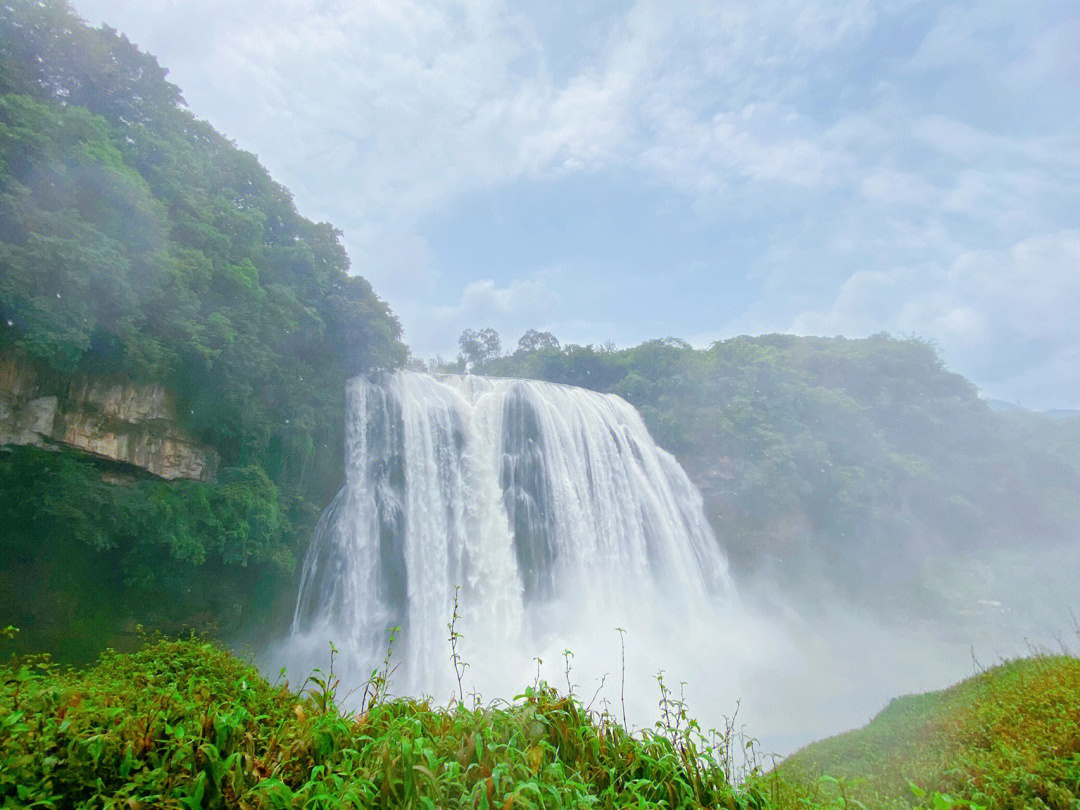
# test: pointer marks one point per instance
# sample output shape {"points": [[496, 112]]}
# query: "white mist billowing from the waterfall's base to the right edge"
{"points": [[781, 673]]}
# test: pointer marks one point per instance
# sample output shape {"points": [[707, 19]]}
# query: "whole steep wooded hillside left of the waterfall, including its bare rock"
{"points": [[175, 340]]}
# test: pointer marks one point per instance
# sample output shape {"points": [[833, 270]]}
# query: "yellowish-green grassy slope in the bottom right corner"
{"points": [[1007, 738]]}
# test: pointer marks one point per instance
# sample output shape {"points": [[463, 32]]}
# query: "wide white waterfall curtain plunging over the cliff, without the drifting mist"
{"points": [[548, 511]]}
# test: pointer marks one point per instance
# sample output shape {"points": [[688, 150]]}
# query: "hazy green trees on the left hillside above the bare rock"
{"points": [[137, 241]]}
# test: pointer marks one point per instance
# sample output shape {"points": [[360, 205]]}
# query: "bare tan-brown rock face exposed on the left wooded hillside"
{"points": [[136, 425]]}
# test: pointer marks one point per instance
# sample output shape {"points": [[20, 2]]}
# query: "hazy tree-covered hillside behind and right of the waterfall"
{"points": [[859, 468]]}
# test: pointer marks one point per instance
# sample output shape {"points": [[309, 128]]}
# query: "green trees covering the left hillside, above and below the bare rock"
{"points": [[139, 245]]}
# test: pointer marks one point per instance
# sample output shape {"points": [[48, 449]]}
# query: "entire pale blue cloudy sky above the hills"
{"points": [[623, 171]]}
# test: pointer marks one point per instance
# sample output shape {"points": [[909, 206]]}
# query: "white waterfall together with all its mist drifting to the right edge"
{"points": [[779, 667]]}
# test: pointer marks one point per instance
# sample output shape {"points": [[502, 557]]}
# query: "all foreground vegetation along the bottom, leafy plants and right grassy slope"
{"points": [[187, 725]]}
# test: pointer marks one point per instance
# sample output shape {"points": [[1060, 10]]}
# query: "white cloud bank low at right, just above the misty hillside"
{"points": [[1020, 302]]}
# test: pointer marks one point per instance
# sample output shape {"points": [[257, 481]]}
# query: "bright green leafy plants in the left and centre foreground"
{"points": [[184, 724]]}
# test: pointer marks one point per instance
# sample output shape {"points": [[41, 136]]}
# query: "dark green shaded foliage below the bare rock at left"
{"points": [[88, 549]]}
